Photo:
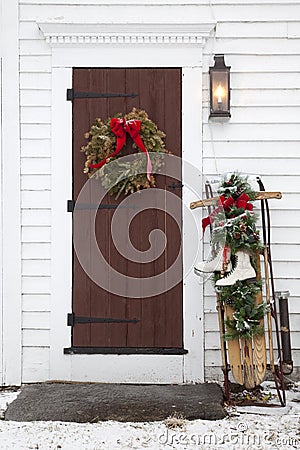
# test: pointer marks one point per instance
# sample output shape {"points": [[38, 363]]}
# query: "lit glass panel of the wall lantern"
{"points": [[219, 86]]}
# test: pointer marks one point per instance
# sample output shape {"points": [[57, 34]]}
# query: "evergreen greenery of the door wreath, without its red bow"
{"points": [[127, 177]]}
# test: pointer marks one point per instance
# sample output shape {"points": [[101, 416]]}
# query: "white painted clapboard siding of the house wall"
{"points": [[261, 42]]}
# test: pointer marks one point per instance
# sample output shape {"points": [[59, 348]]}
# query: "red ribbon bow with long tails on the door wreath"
{"points": [[120, 127]]}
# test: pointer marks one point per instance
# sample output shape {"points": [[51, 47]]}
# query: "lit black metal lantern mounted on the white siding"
{"points": [[219, 76]]}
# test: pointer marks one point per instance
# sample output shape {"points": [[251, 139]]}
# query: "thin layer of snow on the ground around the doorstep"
{"points": [[244, 428]]}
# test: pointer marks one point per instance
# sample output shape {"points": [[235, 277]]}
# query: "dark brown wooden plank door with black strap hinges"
{"points": [[155, 322]]}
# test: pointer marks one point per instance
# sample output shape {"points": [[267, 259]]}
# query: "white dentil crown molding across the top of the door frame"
{"points": [[126, 33]]}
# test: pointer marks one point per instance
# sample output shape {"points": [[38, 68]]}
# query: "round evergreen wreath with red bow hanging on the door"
{"points": [[106, 140]]}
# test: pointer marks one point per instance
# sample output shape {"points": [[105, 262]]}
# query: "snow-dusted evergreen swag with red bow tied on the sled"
{"points": [[235, 229]]}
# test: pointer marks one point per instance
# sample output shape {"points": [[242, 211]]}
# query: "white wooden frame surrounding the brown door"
{"points": [[145, 47]]}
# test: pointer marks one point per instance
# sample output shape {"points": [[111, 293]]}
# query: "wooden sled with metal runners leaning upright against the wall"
{"points": [[247, 359]]}
